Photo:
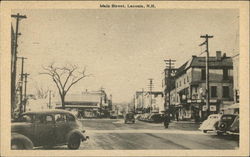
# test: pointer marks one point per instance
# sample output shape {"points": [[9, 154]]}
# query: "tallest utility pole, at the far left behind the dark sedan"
{"points": [[13, 63]]}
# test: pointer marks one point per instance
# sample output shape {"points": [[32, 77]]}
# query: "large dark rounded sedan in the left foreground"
{"points": [[46, 128]]}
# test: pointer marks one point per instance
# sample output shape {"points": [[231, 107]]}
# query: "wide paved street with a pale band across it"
{"points": [[114, 134]]}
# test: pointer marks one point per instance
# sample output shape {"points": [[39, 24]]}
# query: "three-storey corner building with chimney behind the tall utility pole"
{"points": [[188, 97]]}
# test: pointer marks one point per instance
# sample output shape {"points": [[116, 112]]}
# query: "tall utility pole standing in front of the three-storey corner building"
{"points": [[207, 71]]}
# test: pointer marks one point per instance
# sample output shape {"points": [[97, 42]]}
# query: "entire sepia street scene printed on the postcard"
{"points": [[125, 76]]}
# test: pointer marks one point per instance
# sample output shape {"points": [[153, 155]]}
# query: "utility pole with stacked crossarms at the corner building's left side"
{"points": [[170, 65]]}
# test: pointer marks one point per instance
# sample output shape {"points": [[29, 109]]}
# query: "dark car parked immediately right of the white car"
{"points": [[225, 122]]}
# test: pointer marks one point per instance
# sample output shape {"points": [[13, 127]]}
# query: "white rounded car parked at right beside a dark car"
{"points": [[210, 124]]}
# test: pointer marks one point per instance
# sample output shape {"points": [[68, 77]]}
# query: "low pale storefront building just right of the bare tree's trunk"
{"points": [[89, 104]]}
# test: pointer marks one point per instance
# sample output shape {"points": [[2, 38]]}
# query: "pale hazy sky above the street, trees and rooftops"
{"points": [[122, 49]]}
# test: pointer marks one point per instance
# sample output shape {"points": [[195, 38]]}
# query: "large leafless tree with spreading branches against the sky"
{"points": [[64, 78]]}
